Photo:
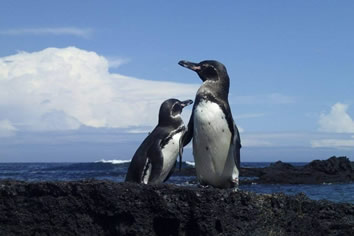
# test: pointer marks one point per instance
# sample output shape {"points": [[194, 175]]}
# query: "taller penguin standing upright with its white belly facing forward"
{"points": [[216, 140]]}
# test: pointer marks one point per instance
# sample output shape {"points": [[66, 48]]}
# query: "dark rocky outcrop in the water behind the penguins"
{"points": [[333, 170]]}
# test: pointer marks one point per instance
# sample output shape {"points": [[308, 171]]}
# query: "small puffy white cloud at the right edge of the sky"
{"points": [[337, 120]]}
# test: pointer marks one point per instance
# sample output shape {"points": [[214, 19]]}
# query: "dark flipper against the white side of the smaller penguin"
{"points": [[156, 157]]}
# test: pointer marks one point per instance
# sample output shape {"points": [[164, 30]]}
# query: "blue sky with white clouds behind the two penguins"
{"points": [[83, 81]]}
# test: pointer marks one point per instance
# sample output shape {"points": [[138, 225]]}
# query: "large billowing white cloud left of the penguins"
{"points": [[62, 89]]}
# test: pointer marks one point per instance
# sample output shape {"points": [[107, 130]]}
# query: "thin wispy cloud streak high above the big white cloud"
{"points": [[79, 32]]}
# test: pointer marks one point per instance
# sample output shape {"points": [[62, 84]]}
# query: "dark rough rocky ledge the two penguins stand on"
{"points": [[108, 208]]}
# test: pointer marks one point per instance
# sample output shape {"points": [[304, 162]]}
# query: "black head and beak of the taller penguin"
{"points": [[208, 70]]}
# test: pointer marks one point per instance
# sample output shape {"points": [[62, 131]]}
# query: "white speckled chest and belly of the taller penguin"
{"points": [[212, 143]]}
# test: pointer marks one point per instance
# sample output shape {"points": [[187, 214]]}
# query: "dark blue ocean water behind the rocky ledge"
{"points": [[115, 170]]}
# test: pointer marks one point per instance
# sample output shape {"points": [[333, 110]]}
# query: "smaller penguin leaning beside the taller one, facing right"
{"points": [[154, 161]]}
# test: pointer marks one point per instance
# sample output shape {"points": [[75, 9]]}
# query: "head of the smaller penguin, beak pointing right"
{"points": [[170, 111]]}
